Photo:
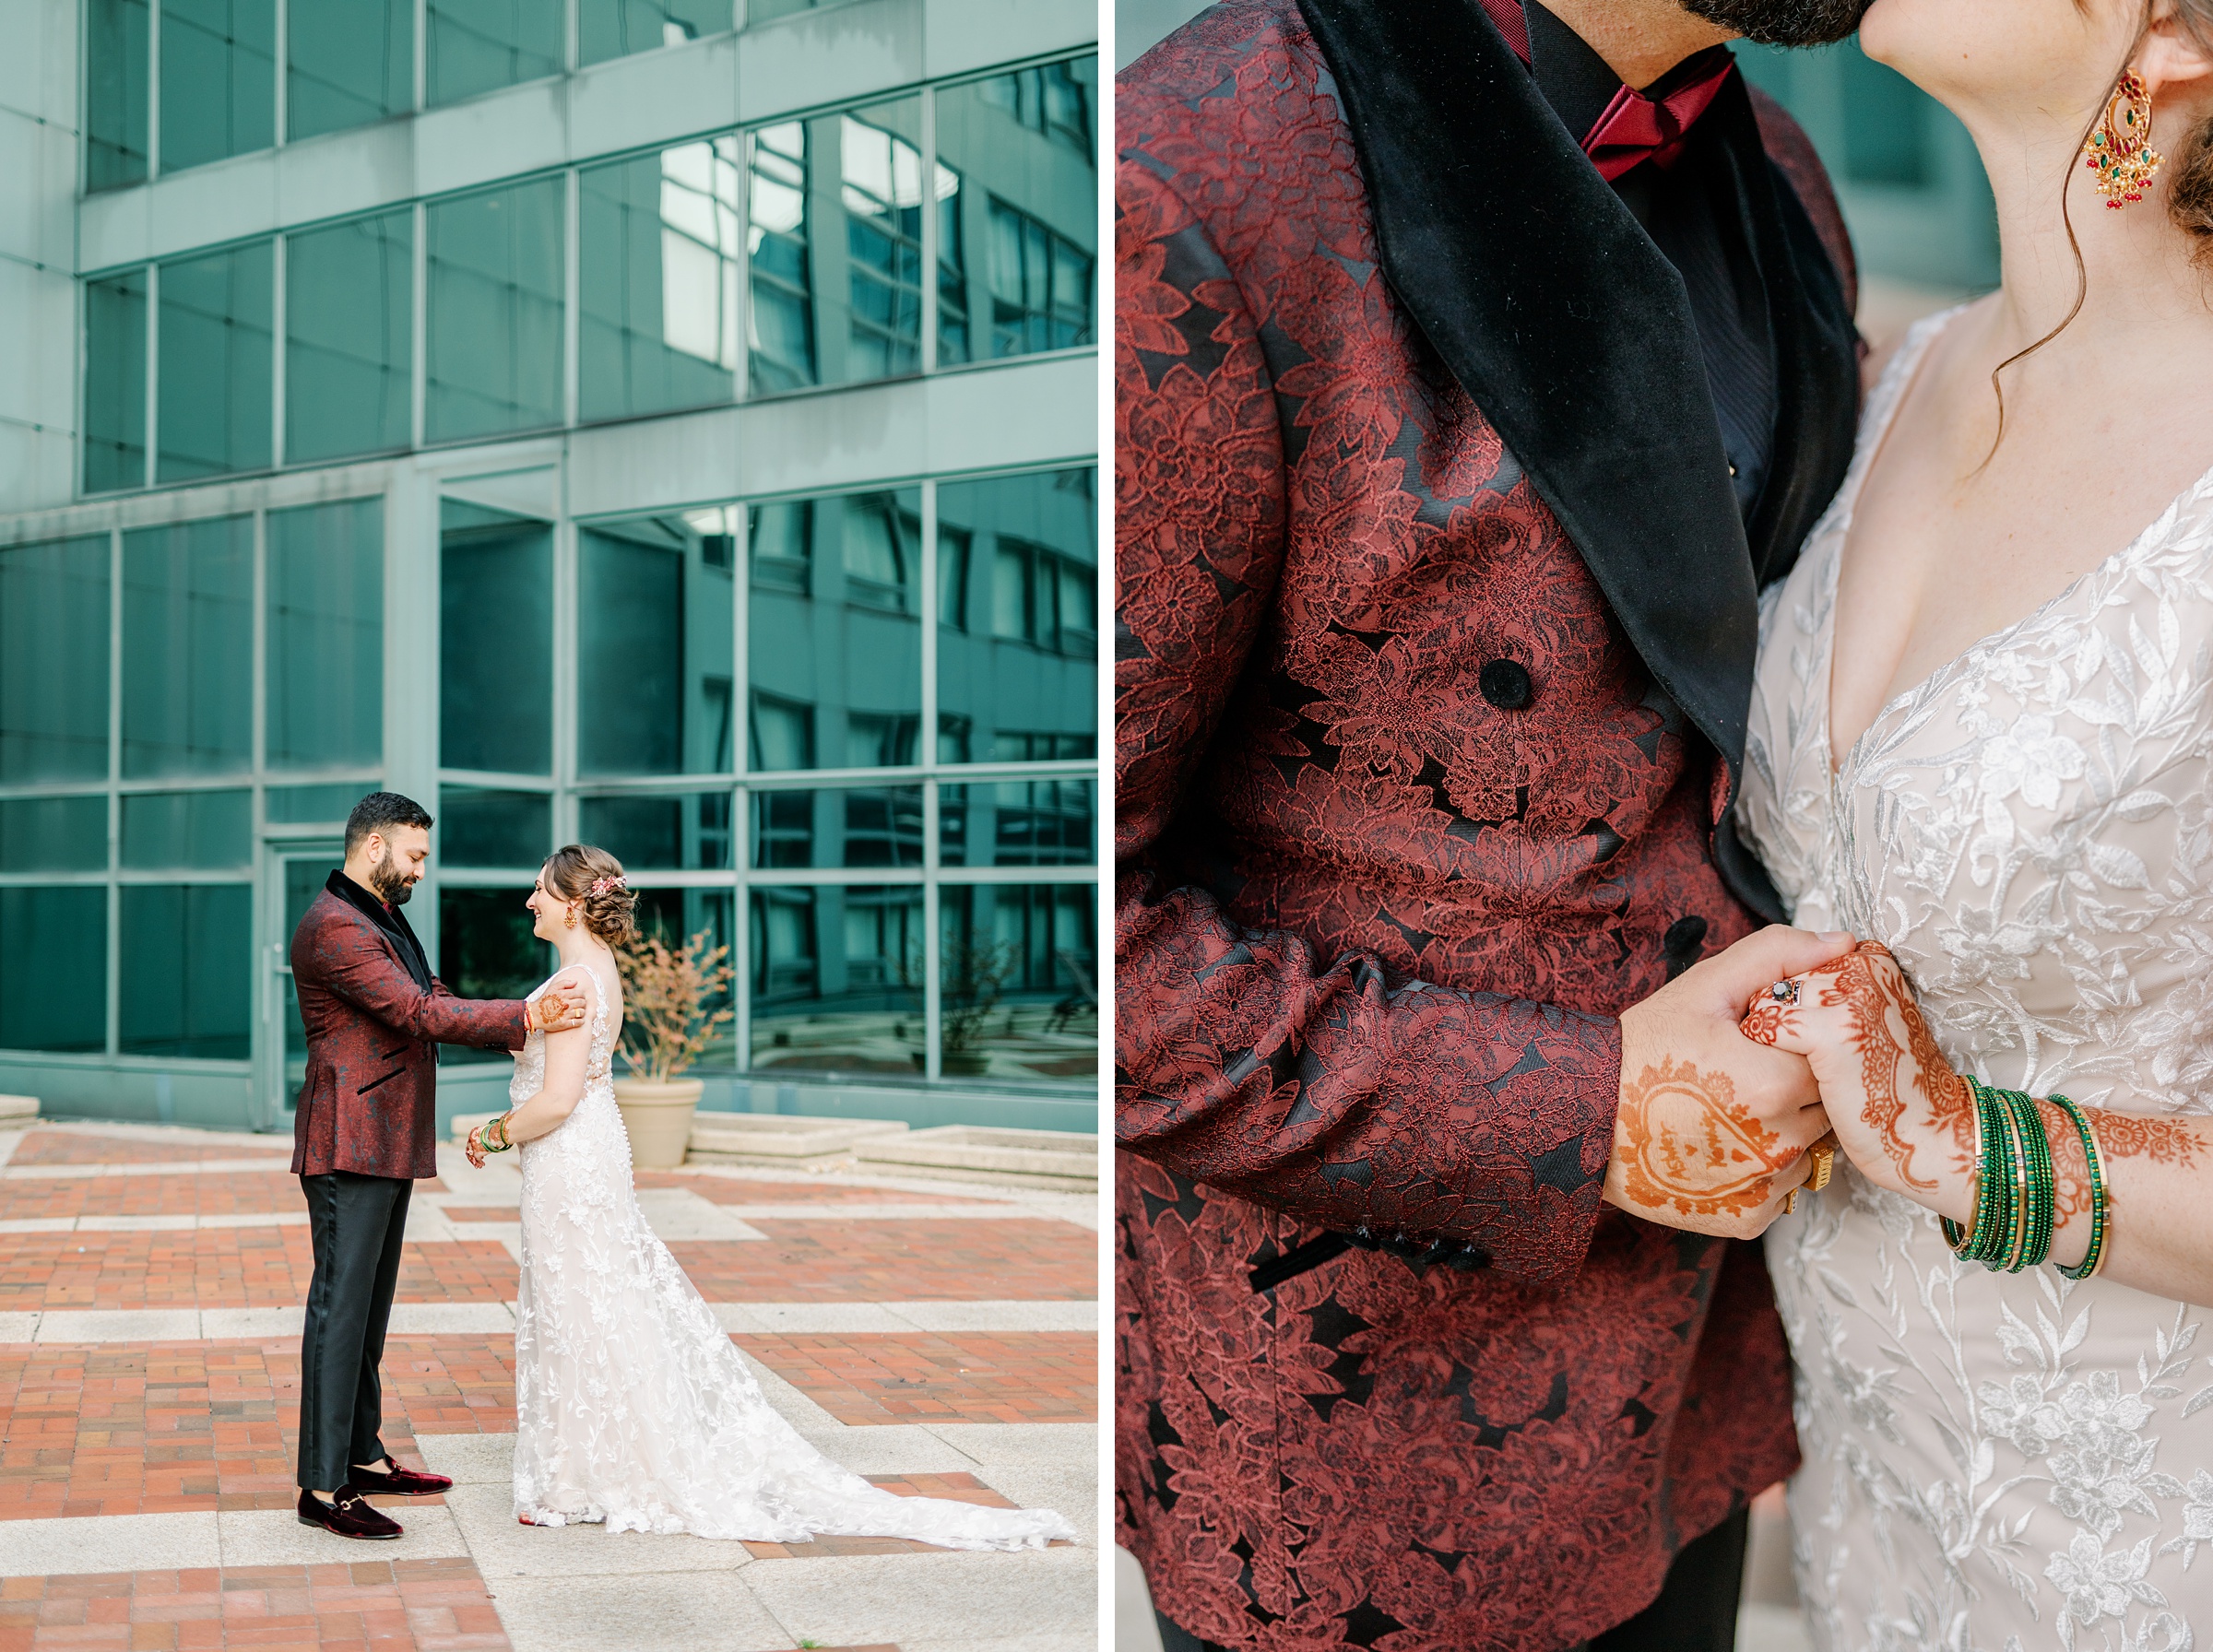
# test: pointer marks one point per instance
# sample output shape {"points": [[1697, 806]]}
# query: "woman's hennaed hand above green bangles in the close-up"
{"points": [[1900, 1111]]}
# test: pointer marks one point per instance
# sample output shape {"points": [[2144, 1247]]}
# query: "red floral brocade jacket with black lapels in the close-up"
{"points": [[1428, 718]]}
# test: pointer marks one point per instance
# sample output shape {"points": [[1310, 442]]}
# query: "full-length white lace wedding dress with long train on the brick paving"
{"points": [[632, 1403]]}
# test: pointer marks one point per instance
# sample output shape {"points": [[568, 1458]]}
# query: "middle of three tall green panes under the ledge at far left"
{"points": [[189, 647]]}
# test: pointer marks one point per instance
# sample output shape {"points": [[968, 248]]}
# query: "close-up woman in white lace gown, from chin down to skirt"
{"points": [[2019, 804]]}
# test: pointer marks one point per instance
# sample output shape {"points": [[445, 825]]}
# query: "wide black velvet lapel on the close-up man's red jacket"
{"points": [[1575, 335]]}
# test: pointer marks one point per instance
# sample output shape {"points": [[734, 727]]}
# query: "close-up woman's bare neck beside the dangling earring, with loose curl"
{"points": [[2137, 278]]}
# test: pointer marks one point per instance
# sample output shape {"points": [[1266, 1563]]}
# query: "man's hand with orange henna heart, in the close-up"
{"points": [[1714, 1129]]}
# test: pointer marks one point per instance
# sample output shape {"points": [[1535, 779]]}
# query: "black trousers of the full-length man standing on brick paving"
{"points": [[357, 1226]]}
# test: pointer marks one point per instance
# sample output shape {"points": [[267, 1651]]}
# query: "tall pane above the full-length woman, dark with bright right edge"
{"points": [[654, 645]]}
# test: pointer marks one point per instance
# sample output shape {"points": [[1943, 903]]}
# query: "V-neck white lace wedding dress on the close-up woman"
{"points": [[2004, 1461]]}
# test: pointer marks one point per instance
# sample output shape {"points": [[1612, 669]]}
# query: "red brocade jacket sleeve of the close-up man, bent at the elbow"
{"points": [[1322, 1089]]}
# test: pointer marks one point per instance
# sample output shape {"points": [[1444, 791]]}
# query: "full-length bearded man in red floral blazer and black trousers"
{"points": [[366, 1129]]}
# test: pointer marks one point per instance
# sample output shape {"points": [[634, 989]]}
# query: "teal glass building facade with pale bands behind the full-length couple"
{"points": [[627, 424]]}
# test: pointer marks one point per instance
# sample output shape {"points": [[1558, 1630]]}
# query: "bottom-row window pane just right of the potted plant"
{"points": [[838, 979]]}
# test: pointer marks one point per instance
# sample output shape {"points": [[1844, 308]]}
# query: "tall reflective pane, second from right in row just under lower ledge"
{"points": [[835, 631]]}
